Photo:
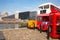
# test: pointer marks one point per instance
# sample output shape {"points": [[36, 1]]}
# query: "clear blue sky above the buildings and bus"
{"points": [[23, 5]]}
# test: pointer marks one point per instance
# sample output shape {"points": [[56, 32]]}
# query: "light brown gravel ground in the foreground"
{"points": [[24, 34]]}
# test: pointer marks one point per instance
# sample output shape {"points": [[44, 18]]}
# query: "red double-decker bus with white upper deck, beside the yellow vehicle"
{"points": [[43, 17]]}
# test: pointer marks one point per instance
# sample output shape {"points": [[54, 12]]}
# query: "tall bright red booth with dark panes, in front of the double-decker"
{"points": [[54, 27]]}
